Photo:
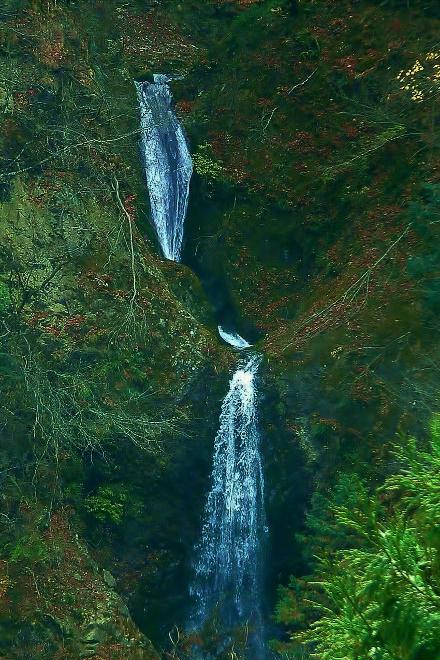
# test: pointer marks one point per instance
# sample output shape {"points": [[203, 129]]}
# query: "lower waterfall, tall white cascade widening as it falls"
{"points": [[228, 570]]}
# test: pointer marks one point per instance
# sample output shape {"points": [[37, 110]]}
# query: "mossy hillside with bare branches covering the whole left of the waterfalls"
{"points": [[105, 361]]}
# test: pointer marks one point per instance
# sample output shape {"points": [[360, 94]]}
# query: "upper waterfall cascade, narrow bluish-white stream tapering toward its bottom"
{"points": [[167, 162]]}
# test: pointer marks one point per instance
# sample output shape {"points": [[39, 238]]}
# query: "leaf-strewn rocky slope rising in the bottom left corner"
{"points": [[70, 608]]}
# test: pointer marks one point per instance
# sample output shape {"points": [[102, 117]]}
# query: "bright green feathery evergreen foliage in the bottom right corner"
{"points": [[381, 598]]}
